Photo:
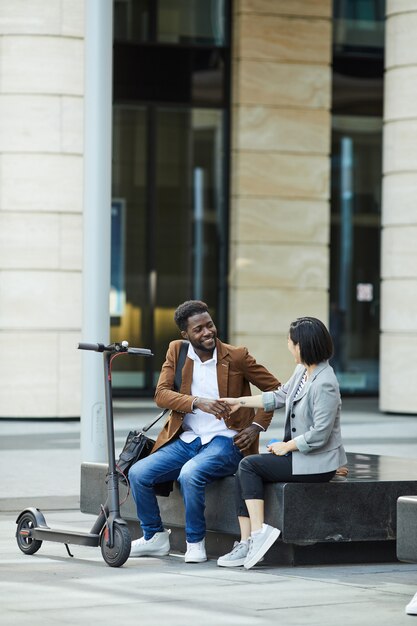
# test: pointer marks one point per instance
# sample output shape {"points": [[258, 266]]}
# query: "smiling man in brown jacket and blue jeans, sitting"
{"points": [[201, 440]]}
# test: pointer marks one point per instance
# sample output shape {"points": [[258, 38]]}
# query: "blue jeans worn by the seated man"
{"points": [[194, 466]]}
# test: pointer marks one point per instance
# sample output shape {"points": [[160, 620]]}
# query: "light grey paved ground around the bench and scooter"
{"points": [[39, 465]]}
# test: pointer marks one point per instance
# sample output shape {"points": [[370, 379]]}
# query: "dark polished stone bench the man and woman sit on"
{"points": [[351, 520]]}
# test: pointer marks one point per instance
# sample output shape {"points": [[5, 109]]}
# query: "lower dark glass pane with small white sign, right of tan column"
{"points": [[355, 251]]}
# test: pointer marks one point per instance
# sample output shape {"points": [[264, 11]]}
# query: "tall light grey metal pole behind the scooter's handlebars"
{"points": [[97, 220]]}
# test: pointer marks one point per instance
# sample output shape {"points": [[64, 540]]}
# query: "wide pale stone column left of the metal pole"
{"points": [[41, 195]]}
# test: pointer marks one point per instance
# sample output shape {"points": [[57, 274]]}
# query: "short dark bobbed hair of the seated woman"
{"points": [[314, 339]]}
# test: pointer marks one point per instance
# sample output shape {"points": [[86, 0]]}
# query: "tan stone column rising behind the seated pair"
{"points": [[279, 261]]}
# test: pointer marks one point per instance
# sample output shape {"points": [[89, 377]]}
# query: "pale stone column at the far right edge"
{"points": [[398, 366]]}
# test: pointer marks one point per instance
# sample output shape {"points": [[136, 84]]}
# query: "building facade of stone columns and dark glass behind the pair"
{"points": [[248, 139]]}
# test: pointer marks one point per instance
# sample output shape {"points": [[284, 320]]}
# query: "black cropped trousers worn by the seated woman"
{"points": [[257, 469]]}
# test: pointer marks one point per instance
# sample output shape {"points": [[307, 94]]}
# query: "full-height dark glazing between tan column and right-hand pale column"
{"points": [[357, 103]]}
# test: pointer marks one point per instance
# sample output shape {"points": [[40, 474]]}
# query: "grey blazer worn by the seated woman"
{"points": [[314, 419]]}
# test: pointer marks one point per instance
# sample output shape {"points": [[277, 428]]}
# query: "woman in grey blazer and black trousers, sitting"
{"points": [[311, 450]]}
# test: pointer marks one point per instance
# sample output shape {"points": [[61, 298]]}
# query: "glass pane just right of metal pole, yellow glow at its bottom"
{"points": [[129, 276]]}
